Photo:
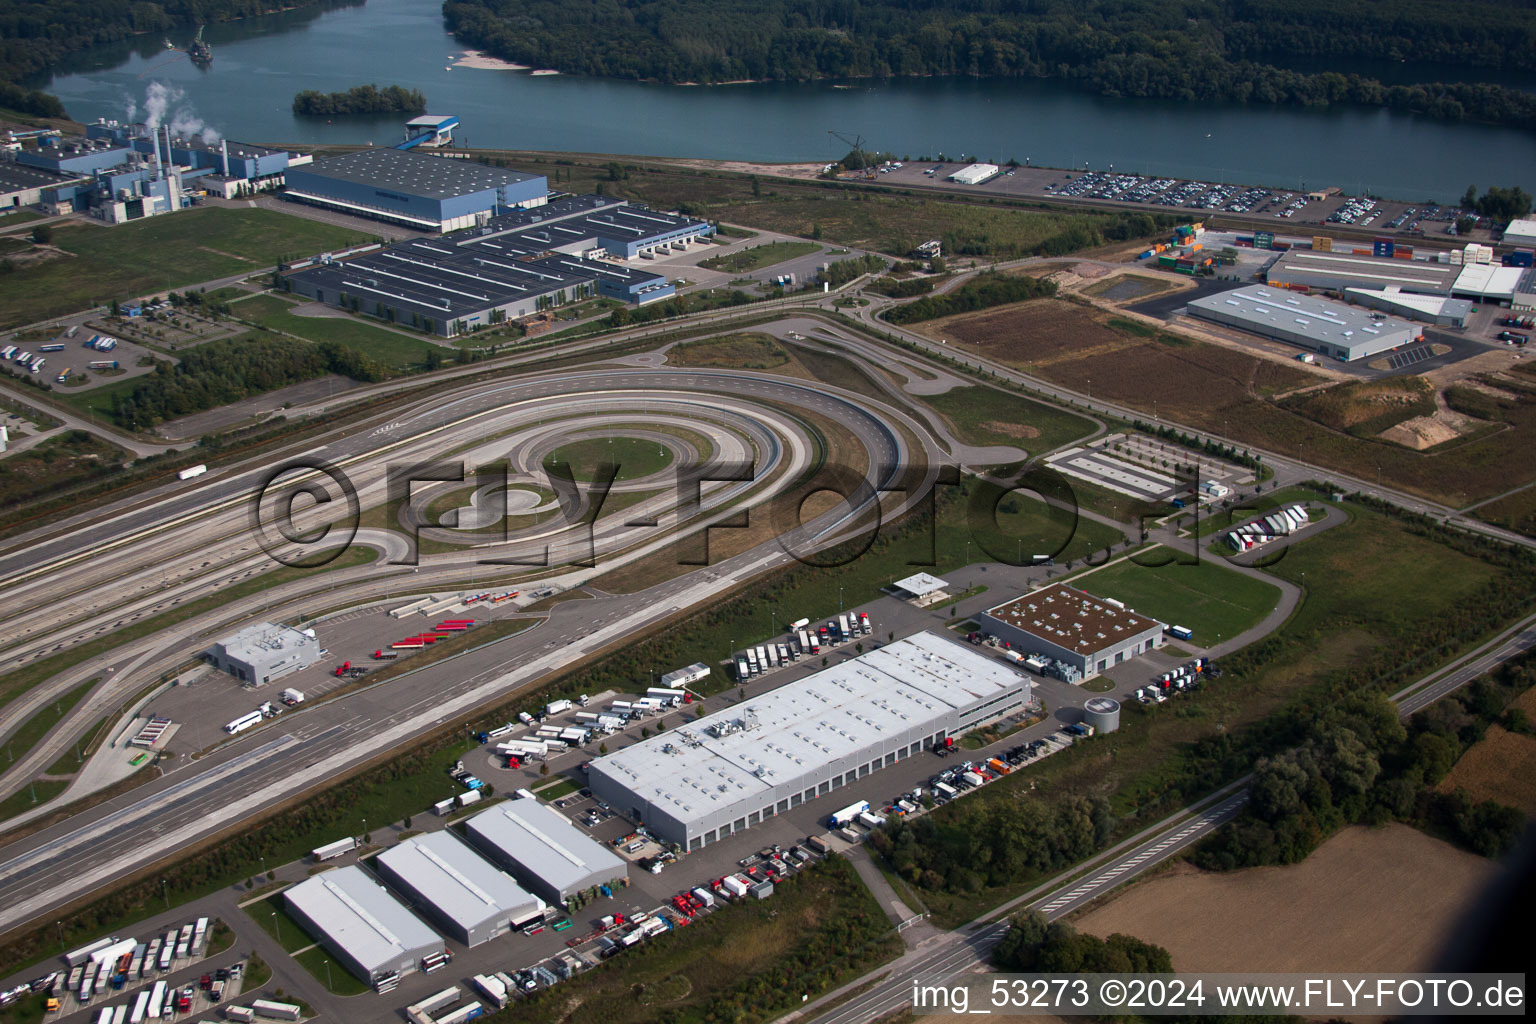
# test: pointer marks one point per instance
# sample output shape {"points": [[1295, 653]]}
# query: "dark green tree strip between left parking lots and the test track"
{"points": [[223, 372]]}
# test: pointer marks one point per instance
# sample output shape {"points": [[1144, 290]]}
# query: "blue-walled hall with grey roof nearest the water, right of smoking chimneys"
{"points": [[415, 190]]}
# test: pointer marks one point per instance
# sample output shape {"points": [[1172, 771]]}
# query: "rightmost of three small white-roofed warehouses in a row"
{"points": [[543, 851]]}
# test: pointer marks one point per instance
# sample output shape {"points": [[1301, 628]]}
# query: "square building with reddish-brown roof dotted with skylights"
{"points": [[1082, 635]]}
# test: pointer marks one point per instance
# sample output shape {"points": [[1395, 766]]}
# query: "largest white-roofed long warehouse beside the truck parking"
{"points": [[737, 768]]}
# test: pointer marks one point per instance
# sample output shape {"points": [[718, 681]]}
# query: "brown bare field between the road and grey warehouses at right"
{"points": [[1236, 395]]}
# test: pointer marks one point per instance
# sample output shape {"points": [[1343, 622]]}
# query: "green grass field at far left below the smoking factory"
{"points": [[159, 254]]}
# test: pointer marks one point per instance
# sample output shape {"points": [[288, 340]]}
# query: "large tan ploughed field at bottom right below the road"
{"points": [[1340, 910]]}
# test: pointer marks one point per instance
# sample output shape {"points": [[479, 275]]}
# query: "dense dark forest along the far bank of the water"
{"points": [[1176, 50]]}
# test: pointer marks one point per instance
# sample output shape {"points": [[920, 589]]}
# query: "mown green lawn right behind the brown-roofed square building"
{"points": [[1214, 601]]}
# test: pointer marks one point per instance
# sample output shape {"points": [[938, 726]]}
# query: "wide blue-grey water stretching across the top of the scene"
{"points": [[259, 67]]}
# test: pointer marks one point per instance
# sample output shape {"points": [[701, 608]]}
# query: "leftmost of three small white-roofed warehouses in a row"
{"points": [[368, 930]]}
